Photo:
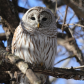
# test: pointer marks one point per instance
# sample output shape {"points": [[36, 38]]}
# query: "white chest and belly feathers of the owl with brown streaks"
{"points": [[36, 48]]}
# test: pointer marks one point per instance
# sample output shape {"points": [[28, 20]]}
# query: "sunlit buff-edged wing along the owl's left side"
{"points": [[15, 37]]}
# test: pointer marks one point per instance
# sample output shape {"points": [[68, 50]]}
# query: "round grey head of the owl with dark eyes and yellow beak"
{"points": [[38, 18]]}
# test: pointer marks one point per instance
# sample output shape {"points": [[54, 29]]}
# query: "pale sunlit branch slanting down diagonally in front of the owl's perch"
{"points": [[21, 65]]}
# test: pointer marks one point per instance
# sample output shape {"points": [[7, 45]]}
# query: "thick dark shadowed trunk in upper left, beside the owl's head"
{"points": [[8, 15]]}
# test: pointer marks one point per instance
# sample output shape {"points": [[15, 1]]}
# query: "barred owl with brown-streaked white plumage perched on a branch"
{"points": [[34, 39]]}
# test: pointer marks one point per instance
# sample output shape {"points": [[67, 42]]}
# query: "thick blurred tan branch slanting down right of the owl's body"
{"points": [[71, 45]]}
